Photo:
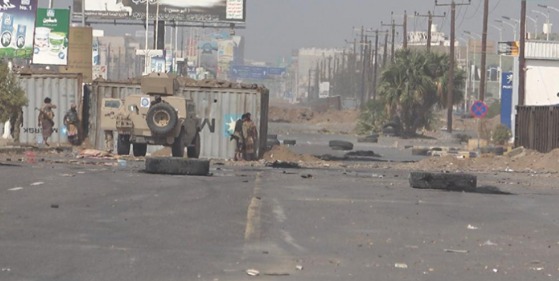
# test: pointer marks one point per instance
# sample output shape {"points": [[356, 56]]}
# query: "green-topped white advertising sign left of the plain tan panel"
{"points": [[51, 36]]}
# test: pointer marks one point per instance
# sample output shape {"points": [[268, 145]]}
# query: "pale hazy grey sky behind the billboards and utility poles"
{"points": [[275, 27]]}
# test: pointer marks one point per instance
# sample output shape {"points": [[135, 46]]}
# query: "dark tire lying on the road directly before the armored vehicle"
{"points": [[177, 166]]}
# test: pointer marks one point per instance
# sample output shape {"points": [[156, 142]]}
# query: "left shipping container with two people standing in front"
{"points": [[62, 89]]}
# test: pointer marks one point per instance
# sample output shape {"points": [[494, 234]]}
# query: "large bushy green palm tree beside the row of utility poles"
{"points": [[412, 88]]}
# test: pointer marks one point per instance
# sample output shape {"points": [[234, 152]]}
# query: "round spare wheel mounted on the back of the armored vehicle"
{"points": [[161, 118]]}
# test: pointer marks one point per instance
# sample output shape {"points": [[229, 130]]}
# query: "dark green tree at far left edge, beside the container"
{"points": [[12, 99]]}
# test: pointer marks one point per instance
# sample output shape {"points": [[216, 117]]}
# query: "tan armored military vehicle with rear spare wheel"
{"points": [[156, 117]]}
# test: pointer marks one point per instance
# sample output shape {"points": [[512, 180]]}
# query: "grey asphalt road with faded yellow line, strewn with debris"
{"points": [[97, 222]]}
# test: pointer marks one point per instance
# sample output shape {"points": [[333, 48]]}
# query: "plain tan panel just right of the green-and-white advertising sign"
{"points": [[80, 55]]}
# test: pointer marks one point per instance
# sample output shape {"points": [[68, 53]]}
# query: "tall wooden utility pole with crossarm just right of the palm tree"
{"points": [[450, 89]]}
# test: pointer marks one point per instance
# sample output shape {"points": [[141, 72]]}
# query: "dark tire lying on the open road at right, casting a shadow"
{"points": [[443, 181]]}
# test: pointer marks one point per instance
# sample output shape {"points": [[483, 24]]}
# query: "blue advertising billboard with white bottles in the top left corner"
{"points": [[17, 22]]}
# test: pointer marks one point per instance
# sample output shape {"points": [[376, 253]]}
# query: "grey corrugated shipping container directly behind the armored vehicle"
{"points": [[218, 107]]}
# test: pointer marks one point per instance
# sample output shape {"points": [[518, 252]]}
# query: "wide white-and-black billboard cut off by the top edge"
{"points": [[179, 10]]}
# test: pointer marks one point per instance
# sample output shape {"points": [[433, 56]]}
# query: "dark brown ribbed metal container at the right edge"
{"points": [[537, 128]]}
